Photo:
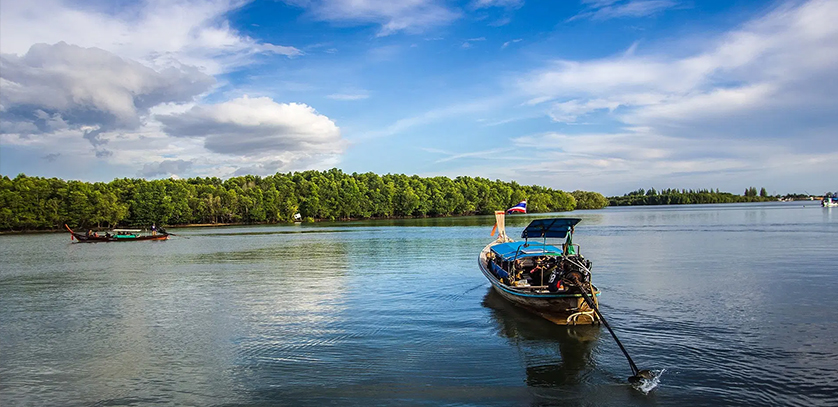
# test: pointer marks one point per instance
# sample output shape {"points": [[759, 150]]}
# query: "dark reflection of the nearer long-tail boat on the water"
{"points": [[554, 355]]}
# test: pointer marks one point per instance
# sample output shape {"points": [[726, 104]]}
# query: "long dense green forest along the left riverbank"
{"points": [[28, 203]]}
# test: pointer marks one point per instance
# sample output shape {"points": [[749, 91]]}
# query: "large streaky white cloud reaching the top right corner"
{"points": [[774, 69]]}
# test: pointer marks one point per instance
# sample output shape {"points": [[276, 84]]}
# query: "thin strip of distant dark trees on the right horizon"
{"points": [[684, 196]]}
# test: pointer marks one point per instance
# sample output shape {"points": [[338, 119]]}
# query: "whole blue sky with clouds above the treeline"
{"points": [[604, 95]]}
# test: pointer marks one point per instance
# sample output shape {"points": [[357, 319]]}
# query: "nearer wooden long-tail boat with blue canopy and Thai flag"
{"points": [[540, 277]]}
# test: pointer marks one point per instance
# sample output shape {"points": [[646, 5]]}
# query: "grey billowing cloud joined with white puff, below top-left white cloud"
{"points": [[130, 113]]}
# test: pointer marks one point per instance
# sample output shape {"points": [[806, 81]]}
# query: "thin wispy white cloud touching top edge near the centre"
{"points": [[410, 16]]}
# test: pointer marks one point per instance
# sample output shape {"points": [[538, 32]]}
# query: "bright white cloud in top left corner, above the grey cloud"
{"points": [[155, 32]]}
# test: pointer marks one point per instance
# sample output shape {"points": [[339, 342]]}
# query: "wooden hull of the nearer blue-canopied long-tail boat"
{"points": [[560, 308]]}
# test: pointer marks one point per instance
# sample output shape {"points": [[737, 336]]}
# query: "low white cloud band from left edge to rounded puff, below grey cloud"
{"points": [[242, 136]]}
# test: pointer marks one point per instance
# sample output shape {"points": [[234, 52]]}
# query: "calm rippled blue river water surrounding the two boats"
{"points": [[736, 302]]}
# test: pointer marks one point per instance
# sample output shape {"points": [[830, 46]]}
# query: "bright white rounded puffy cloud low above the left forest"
{"points": [[257, 127]]}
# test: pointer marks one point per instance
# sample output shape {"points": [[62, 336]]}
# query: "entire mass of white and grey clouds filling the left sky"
{"points": [[108, 75]]}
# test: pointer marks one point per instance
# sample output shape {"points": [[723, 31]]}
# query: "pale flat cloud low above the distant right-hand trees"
{"points": [[615, 163]]}
